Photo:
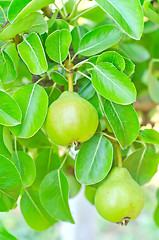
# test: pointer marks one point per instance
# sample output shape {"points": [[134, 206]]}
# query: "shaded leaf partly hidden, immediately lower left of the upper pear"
{"points": [[39, 140]]}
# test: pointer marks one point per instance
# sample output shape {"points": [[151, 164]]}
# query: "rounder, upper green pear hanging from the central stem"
{"points": [[71, 119]]}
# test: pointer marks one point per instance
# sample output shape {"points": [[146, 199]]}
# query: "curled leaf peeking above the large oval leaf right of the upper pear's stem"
{"points": [[113, 57]]}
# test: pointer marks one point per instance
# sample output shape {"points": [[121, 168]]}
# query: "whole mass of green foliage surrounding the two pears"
{"points": [[34, 46]]}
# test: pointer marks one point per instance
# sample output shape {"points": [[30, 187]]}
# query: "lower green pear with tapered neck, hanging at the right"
{"points": [[119, 199]]}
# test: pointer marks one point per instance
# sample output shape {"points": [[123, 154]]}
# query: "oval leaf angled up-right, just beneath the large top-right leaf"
{"points": [[98, 40]]}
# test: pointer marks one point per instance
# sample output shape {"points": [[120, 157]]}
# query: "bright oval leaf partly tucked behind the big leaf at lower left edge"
{"points": [[25, 166]]}
